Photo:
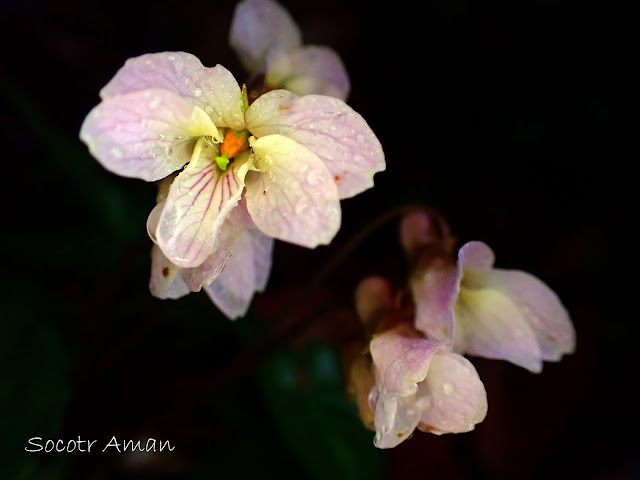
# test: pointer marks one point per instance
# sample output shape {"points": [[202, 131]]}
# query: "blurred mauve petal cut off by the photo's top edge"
{"points": [[257, 27]]}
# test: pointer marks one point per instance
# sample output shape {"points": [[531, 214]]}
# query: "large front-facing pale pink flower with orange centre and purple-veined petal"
{"points": [[290, 158]]}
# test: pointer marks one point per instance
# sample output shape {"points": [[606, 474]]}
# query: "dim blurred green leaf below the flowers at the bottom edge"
{"points": [[319, 425]]}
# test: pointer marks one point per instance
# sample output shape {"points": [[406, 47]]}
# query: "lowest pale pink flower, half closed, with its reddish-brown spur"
{"points": [[419, 383]]}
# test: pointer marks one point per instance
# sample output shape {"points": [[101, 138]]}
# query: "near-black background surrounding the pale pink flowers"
{"points": [[509, 118]]}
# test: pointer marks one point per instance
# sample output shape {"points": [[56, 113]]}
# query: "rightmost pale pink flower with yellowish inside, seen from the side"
{"points": [[487, 311]]}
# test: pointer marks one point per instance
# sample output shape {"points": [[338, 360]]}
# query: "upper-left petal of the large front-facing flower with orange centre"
{"points": [[214, 89]]}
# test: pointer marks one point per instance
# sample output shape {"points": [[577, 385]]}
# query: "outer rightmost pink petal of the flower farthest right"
{"points": [[542, 309]]}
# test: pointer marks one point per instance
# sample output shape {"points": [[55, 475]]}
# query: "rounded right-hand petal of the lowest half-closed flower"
{"points": [[452, 398]]}
